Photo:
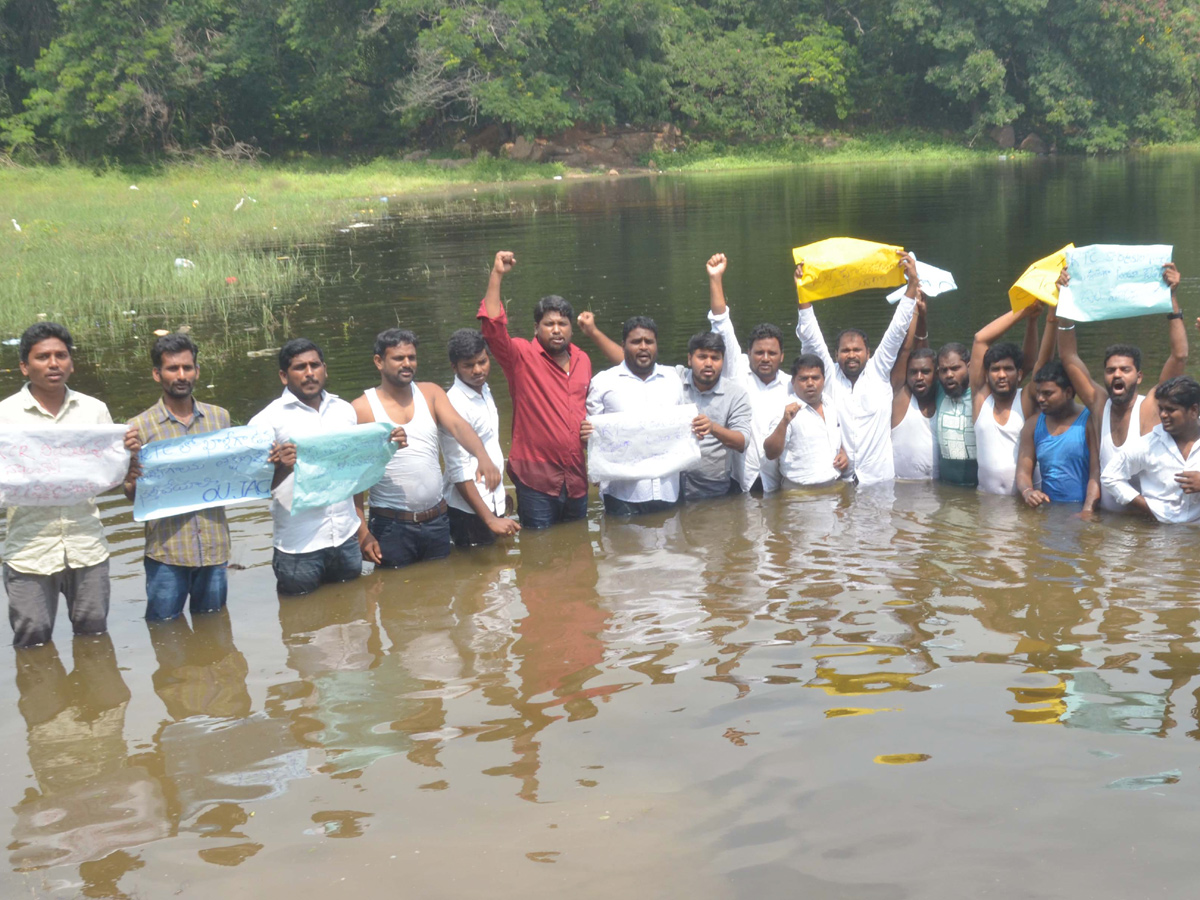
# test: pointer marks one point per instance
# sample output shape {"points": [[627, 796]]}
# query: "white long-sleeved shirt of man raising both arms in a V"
{"points": [[865, 407]]}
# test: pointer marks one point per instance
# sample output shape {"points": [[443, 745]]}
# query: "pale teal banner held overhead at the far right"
{"points": [[1111, 281]]}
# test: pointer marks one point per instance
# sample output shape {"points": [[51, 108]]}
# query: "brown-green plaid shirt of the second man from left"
{"points": [[194, 539]]}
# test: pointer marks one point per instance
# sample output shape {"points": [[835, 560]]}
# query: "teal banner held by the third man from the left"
{"points": [[338, 465]]}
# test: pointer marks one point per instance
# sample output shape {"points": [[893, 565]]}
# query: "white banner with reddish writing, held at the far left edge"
{"points": [[61, 466]]}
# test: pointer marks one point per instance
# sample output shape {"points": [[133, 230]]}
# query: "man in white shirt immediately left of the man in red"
{"points": [[477, 518]]}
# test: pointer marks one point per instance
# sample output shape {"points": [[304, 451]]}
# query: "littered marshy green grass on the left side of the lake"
{"points": [[100, 256]]}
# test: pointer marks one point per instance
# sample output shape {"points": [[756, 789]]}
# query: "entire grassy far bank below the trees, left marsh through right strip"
{"points": [[99, 250]]}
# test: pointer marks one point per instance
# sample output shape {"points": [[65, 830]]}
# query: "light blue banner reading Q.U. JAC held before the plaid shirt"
{"points": [[200, 471]]}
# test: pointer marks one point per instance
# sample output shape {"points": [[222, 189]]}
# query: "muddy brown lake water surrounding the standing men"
{"points": [[905, 693]]}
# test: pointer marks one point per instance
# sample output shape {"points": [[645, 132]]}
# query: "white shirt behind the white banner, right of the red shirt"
{"points": [[619, 391]]}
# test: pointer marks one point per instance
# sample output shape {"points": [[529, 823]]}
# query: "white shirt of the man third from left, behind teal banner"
{"points": [[313, 529]]}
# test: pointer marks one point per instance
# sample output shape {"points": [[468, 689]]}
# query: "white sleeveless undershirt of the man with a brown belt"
{"points": [[412, 483]]}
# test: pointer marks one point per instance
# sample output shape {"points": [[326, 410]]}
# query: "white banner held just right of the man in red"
{"points": [[627, 447]]}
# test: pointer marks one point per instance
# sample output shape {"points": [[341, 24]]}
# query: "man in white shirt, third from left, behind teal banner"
{"points": [[316, 545]]}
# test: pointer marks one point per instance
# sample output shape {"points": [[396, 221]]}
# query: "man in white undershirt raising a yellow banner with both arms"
{"points": [[997, 375]]}
